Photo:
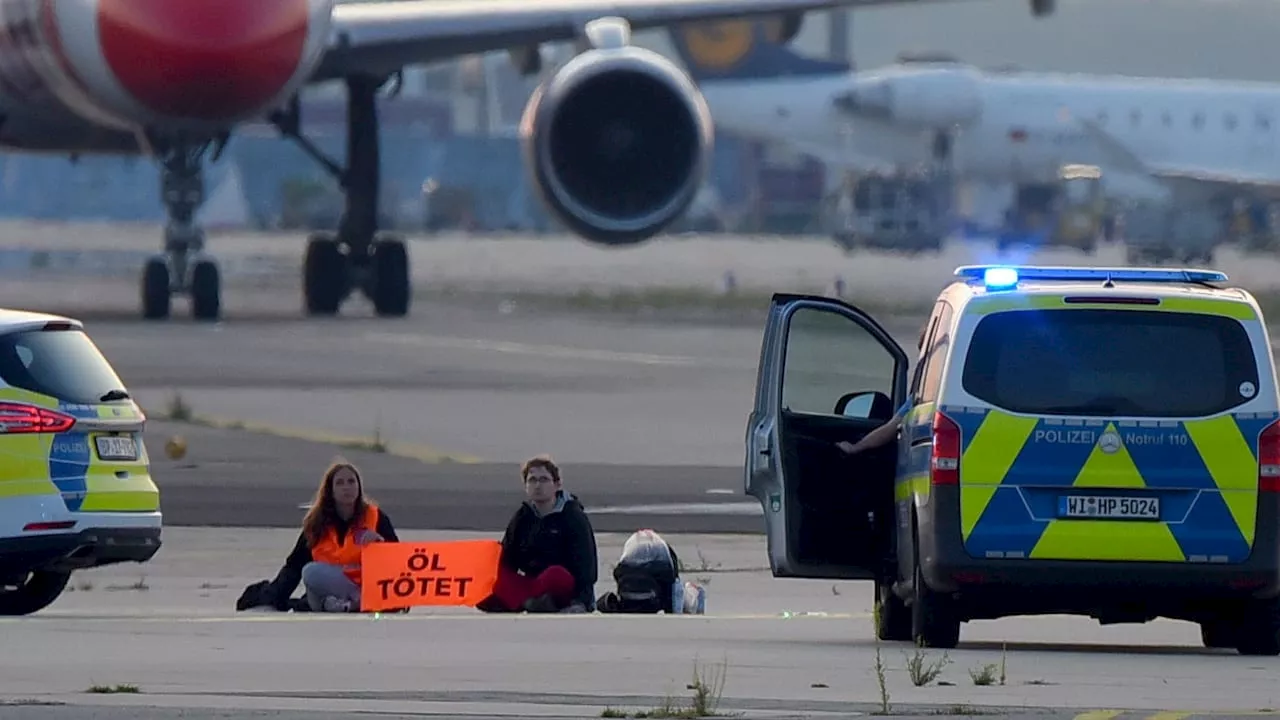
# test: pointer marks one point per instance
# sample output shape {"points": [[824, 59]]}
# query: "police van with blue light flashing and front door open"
{"points": [[1090, 441]]}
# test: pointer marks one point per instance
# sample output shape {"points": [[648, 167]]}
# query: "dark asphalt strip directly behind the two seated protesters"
{"points": [[239, 479]]}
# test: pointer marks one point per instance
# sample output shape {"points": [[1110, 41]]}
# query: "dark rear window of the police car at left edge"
{"points": [[63, 364]]}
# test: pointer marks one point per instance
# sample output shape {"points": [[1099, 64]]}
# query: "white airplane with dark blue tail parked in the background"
{"points": [[1169, 140]]}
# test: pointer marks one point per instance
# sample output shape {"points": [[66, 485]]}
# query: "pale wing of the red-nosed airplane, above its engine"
{"points": [[385, 37]]}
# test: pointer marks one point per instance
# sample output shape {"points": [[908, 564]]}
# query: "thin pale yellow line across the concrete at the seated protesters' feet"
{"points": [[360, 617]]}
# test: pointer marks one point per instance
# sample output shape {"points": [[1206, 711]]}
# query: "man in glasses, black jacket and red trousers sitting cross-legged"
{"points": [[548, 553]]}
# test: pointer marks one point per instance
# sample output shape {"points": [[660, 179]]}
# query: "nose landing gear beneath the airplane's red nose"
{"points": [[184, 268]]}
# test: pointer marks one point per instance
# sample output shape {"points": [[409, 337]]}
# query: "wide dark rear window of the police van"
{"points": [[1112, 363]]}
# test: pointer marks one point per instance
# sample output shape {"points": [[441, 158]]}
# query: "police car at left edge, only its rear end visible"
{"points": [[76, 487]]}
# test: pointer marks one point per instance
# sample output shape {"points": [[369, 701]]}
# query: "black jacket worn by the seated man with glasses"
{"points": [[563, 537]]}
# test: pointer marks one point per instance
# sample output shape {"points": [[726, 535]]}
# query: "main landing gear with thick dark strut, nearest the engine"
{"points": [[358, 257]]}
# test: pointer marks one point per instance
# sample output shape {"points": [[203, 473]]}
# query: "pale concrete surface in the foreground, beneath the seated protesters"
{"points": [[797, 648]]}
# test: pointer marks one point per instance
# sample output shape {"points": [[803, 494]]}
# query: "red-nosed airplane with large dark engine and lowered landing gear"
{"points": [[618, 140]]}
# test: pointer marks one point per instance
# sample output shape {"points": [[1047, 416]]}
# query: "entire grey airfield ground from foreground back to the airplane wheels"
{"points": [[647, 417]]}
